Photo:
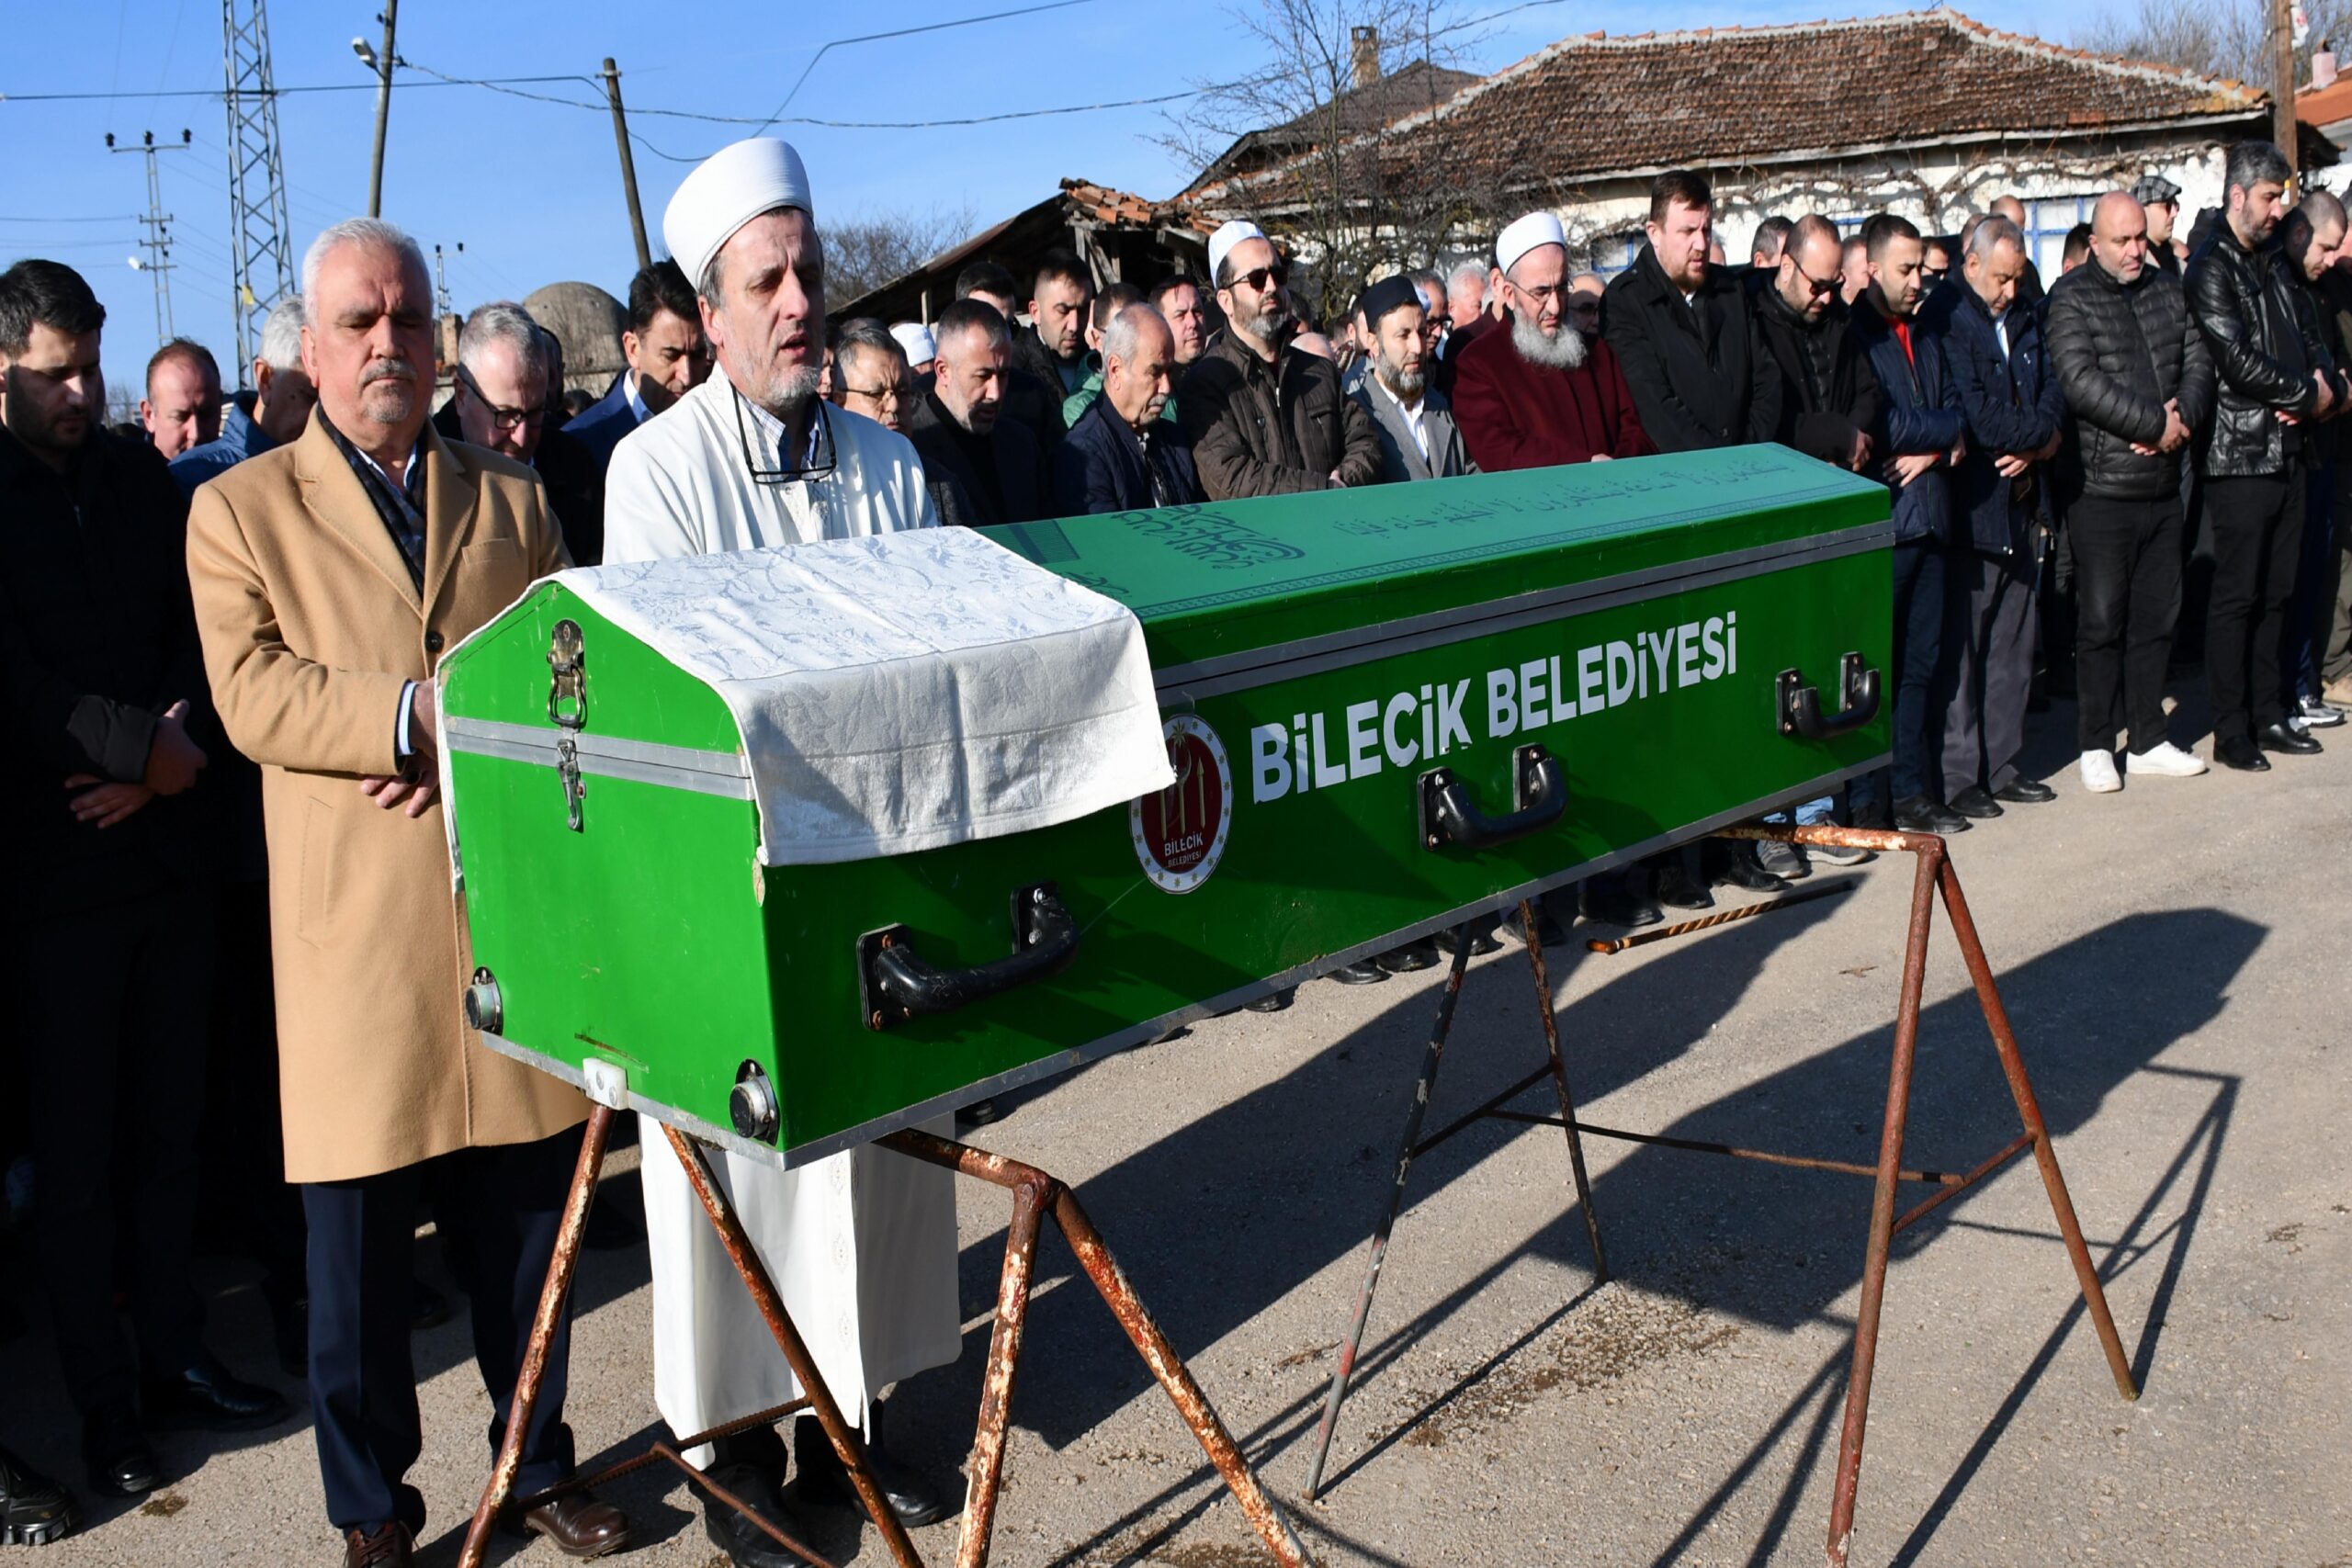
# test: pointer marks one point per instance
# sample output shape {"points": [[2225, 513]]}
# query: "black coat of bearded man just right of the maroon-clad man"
{"points": [[1692, 366]]}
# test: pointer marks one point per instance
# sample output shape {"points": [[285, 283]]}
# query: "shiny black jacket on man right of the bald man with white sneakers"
{"points": [[2264, 356]]}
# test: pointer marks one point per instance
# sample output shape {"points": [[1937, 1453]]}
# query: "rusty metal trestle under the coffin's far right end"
{"points": [[1932, 880]]}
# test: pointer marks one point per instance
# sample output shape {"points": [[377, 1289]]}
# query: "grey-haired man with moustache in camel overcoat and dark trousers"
{"points": [[330, 577]]}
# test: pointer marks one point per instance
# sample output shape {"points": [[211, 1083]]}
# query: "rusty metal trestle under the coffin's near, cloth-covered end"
{"points": [[1036, 1195]]}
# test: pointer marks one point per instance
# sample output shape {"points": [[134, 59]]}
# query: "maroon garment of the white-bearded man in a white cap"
{"points": [[1518, 415]]}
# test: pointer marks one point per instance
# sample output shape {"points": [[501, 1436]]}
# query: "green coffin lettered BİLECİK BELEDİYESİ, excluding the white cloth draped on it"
{"points": [[1351, 688]]}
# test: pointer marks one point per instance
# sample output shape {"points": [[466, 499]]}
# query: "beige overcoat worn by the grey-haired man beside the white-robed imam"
{"points": [[312, 626]]}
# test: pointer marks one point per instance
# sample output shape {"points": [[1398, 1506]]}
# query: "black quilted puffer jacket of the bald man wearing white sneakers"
{"points": [[2120, 356]]}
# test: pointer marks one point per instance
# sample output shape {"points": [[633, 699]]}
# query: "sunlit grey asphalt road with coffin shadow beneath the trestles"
{"points": [[2174, 960]]}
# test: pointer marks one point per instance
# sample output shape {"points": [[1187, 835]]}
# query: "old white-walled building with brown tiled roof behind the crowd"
{"points": [[1925, 114]]}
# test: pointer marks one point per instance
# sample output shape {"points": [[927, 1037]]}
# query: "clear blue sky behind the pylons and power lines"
{"points": [[535, 192]]}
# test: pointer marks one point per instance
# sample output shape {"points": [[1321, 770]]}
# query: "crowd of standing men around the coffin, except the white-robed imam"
{"points": [[2057, 464]]}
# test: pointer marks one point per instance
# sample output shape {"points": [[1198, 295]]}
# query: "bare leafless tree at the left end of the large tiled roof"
{"points": [[1304, 140]]}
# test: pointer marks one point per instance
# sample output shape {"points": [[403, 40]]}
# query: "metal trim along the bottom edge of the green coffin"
{"points": [[1144, 1033]]}
